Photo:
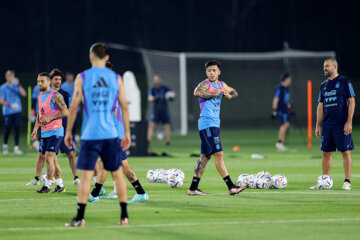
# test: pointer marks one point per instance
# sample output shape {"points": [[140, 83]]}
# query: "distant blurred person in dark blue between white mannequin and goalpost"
{"points": [[160, 113]]}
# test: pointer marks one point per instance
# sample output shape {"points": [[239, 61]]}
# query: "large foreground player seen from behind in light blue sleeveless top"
{"points": [[100, 88]]}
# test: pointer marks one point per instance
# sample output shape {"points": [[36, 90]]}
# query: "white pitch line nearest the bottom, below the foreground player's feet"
{"points": [[185, 224]]}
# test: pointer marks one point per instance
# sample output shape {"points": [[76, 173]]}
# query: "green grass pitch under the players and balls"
{"points": [[293, 213]]}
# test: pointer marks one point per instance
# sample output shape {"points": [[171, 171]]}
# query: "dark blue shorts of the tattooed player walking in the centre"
{"points": [[210, 141]]}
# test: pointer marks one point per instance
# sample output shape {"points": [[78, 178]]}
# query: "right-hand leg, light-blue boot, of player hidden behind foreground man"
{"points": [[130, 174]]}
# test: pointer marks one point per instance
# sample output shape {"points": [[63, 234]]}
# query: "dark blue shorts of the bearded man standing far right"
{"points": [[333, 137]]}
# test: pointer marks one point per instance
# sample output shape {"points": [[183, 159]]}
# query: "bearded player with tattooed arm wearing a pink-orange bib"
{"points": [[52, 109]]}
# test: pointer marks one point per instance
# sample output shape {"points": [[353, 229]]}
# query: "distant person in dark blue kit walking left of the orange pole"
{"points": [[281, 108]]}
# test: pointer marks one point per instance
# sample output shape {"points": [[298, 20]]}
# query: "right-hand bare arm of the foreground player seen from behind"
{"points": [[126, 141]]}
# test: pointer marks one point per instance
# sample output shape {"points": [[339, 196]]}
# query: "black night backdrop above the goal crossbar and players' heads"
{"points": [[36, 36]]}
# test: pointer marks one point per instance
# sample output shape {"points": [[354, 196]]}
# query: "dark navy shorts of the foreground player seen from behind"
{"points": [[108, 149]]}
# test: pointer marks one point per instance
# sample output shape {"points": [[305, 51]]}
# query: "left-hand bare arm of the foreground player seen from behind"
{"points": [[75, 101]]}
